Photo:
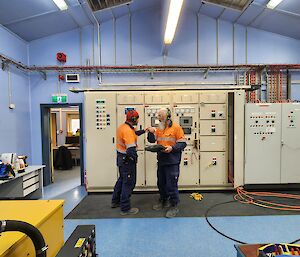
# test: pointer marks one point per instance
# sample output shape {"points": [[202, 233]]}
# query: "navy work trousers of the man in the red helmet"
{"points": [[125, 185]]}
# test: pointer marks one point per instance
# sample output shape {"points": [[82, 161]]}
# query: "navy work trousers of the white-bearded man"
{"points": [[167, 183]]}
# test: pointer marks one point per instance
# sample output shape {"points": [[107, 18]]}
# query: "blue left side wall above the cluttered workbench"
{"points": [[14, 124]]}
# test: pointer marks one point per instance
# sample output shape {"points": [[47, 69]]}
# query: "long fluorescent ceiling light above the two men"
{"points": [[172, 21]]}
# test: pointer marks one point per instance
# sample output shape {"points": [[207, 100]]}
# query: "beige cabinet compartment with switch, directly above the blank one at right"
{"points": [[213, 127]]}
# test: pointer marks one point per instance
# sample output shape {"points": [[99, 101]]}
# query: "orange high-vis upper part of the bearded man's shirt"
{"points": [[170, 136]]}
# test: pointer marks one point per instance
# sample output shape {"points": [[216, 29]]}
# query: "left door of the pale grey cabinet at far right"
{"points": [[262, 143]]}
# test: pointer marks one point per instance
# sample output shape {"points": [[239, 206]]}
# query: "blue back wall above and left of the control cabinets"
{"points": [[233, 44]]}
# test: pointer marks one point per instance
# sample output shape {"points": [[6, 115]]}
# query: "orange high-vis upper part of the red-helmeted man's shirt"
{"points": [[126, 138]]}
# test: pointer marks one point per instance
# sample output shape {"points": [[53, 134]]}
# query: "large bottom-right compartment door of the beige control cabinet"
{"points": [[213, 168]]}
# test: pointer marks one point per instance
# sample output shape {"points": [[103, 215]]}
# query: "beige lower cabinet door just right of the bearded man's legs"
{"points": [[189, 167]]}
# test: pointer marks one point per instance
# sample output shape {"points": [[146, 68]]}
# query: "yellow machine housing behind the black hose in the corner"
{"points": [[45, 215]]}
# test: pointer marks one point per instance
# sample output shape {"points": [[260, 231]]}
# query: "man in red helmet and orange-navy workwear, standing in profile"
{"points": [[126, 162]]}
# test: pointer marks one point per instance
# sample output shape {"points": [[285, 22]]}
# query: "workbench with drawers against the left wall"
{"points": [[28, 184]]}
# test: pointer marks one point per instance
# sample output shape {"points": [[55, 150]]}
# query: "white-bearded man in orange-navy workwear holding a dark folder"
{"points": [[170, 135]]}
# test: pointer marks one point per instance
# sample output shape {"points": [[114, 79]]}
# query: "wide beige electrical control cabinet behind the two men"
{"points": [[203, 116]]}
